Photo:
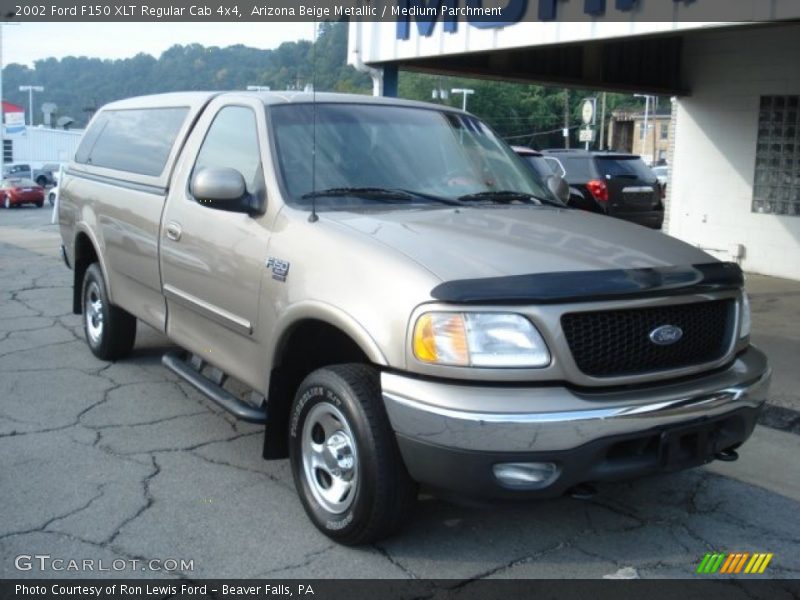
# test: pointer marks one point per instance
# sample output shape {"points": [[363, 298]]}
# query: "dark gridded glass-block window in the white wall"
{"points": [[776, 189]]}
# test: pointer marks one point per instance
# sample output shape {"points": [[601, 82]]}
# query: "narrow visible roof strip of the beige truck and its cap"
{"points": [[199, 99]]}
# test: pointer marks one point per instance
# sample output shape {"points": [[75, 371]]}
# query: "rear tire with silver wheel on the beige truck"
{"points": [[110, 331]]}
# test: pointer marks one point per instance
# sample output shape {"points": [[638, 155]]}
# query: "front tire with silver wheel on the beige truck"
{"points": [[346, 465]]}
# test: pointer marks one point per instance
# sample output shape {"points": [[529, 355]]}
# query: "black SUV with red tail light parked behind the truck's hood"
{"points": [[614, 184]]}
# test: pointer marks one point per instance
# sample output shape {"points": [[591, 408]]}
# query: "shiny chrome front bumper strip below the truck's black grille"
{"points": [[552, 418]]}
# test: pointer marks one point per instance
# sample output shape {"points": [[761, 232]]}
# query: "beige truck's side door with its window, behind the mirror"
{"points": [[212, 260]]}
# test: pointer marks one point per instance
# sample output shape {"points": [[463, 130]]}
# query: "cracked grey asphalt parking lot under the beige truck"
{"points": [[123, 461]]}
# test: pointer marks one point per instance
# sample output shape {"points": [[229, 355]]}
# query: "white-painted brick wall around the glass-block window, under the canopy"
{"points": [[711, 190]]}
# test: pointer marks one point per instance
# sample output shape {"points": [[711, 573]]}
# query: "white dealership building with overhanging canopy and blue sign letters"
{"points": [[734, 148]]}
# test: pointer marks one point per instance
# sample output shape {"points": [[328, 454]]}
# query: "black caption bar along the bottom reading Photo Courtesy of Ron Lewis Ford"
{"points": [[708, 588]]}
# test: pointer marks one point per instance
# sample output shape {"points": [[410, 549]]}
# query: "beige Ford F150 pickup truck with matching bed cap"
{"points": [[409, 303]]}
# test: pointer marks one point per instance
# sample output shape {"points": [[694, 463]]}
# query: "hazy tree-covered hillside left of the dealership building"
{"points": [[77, 85]]}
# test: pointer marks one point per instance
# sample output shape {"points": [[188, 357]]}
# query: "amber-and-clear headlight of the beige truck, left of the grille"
{"points": [[479, 340]]}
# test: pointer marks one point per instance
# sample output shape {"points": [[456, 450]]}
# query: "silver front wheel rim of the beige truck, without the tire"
{"points": [[330, 458]]}
